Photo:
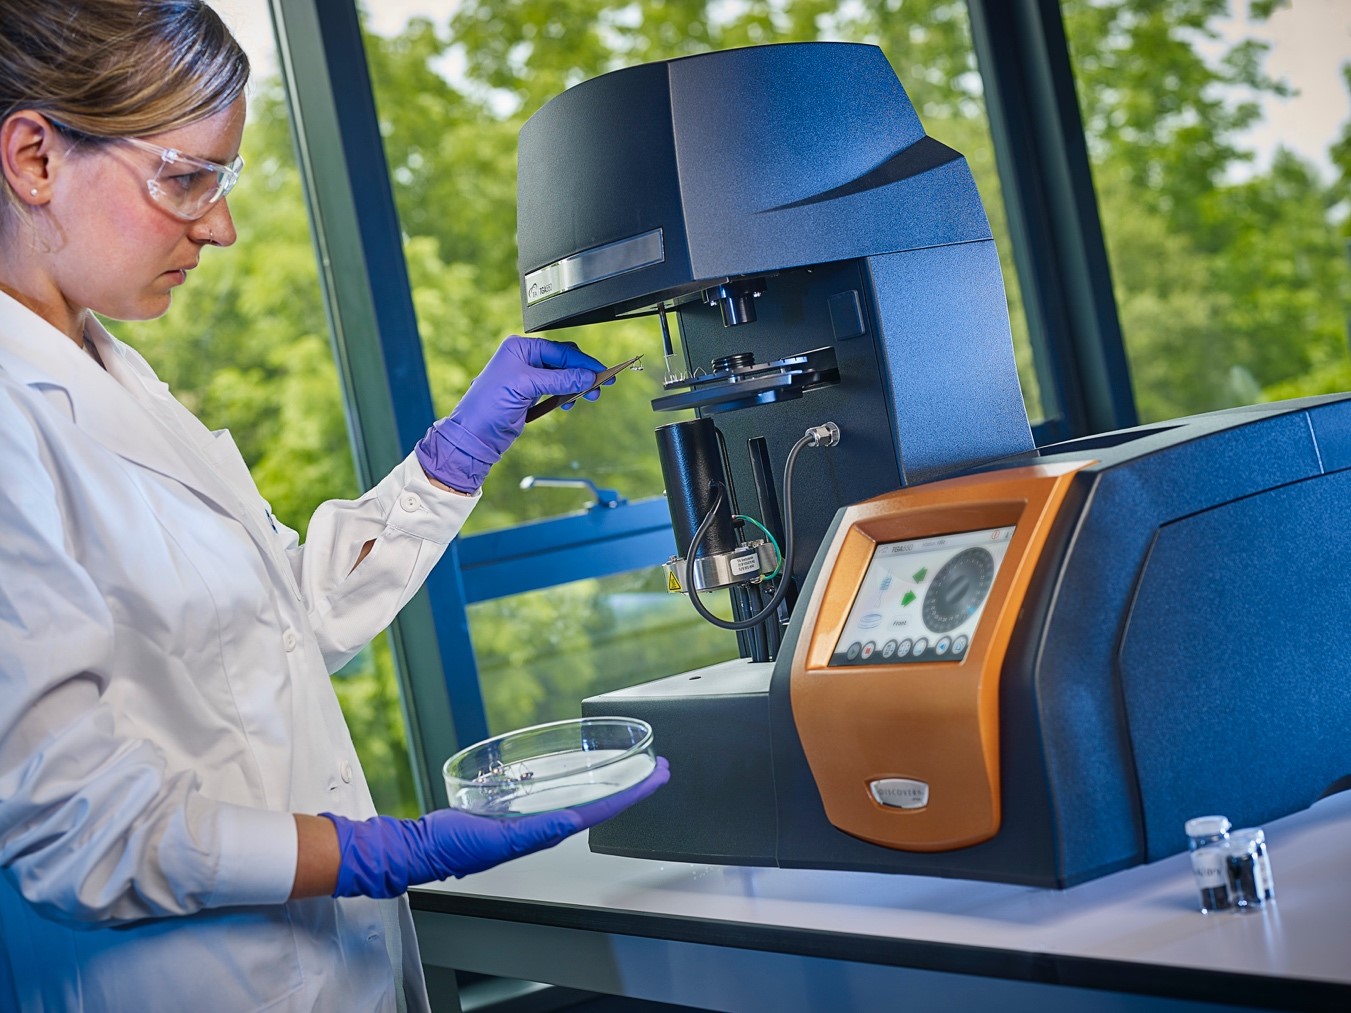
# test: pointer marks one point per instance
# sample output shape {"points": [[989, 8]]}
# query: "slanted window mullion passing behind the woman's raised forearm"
{"points": [[378, 348]]}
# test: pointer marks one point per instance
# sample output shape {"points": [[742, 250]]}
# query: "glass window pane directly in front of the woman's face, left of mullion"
{"points": [[247, 349]]}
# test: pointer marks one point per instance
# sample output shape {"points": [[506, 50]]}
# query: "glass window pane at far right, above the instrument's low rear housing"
{"points": [[1221, 155]]}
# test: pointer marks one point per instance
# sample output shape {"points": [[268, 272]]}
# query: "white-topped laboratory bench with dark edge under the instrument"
{"points": [[734, 938]]}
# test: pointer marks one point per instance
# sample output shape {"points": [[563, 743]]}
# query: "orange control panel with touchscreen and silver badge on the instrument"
{"points": [[895, 688]]}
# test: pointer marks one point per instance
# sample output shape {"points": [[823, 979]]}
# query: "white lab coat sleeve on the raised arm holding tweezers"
{"points": [[410, 521]]}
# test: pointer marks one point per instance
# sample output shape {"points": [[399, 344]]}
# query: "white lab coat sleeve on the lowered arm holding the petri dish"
{"points": [[94, 826]]}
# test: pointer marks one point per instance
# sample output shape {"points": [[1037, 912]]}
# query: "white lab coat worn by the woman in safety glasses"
{"points": [[165, 700]]}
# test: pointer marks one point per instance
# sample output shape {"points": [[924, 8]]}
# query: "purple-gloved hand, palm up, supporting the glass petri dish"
{"points": [[384, 857]]}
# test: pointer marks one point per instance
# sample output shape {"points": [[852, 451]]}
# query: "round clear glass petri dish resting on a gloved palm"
{"points": [[551, 767]]}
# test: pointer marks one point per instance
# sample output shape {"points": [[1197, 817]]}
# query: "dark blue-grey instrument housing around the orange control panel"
{"points": [[1180, 645]]}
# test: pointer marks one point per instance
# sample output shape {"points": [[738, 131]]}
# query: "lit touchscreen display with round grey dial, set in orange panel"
{"points": [[922, 600]]}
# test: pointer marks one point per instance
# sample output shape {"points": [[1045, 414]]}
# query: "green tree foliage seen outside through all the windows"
{"points": [[1233, 284]]}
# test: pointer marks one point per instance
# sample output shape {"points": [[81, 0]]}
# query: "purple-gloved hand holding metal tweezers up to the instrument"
{"points": [[460, 449]]}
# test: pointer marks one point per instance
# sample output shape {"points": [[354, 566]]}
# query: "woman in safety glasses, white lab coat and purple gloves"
{"points": [[183, 819]]}
